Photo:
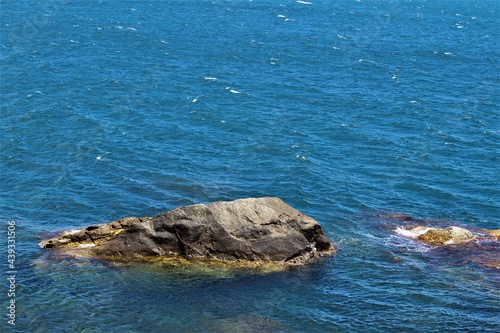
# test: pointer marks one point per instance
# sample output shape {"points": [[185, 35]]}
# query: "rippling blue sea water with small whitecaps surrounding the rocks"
{"points": [[347, 110]]}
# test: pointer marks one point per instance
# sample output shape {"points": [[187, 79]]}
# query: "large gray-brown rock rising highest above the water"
{"points": [[255, 229]]}
